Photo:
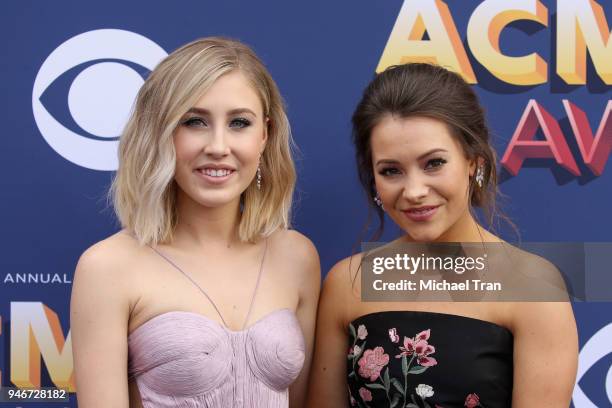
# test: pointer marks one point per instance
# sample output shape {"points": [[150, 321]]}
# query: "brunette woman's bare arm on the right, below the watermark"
{"points": [[545, 354]]}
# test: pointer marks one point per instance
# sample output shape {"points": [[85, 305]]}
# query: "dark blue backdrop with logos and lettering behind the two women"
{"points": [[70, 70]]}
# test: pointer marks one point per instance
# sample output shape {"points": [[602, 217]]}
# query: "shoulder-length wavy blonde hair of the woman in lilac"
{"points": [[144, 191]]}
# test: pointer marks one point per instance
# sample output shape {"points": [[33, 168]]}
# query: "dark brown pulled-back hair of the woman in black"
{"points": [[420, 89]]}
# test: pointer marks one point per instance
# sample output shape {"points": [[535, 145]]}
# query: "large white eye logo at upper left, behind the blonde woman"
{"points": [[100, 96]]}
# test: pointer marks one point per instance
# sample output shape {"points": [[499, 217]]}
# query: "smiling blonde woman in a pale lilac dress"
{"points": [[205, 298]]}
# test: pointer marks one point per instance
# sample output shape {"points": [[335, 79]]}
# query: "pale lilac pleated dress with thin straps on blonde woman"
{"points": [[185, 359]]}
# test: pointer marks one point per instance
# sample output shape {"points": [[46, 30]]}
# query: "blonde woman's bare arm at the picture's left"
{"points": [[99, 312]]}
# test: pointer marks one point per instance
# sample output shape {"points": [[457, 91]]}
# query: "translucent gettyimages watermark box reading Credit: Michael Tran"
{"points": [[499, 271]]}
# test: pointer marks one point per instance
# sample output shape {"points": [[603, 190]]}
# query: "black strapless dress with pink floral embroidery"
{"points": [[406, 359]]}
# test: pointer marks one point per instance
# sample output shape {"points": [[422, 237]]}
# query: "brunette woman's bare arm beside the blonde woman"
{"points": [[328, 385]]}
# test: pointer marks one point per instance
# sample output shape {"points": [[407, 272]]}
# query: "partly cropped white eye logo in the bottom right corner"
{"points": [[598, 347]]}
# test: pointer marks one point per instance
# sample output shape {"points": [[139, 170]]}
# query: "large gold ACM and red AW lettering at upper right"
{"points": [[581, 26]]}
